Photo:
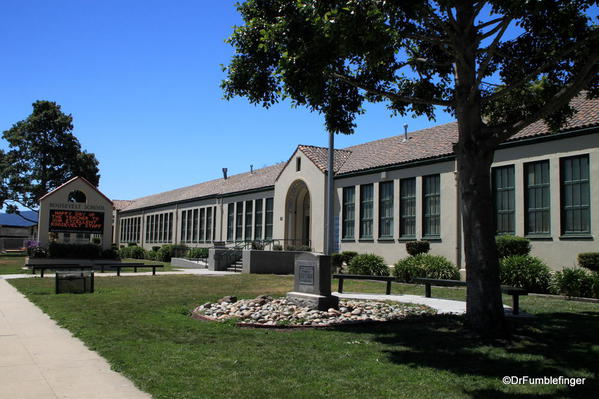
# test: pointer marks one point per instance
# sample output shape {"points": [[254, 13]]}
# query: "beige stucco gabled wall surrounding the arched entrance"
{"points": [[315, 180]]}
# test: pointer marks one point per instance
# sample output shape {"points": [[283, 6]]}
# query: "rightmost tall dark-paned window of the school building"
{"points": [[575, 195]]}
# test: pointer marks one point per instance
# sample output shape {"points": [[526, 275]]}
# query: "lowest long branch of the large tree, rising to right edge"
{"points": [[559, 100]]}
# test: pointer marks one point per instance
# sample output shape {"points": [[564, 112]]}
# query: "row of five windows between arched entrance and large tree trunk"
{"points": [[431, 206]]}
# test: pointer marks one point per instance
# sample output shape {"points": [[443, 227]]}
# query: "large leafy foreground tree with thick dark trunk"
{"points": [[497, 66]]}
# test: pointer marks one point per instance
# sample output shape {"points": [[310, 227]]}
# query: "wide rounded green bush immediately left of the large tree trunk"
{"points": [[425, 266]]}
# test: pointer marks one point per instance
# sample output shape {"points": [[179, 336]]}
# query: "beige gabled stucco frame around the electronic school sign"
{"points": [[58, 199]]}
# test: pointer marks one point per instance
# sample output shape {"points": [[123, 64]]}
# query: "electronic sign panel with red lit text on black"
{"points": [[67, 221]]}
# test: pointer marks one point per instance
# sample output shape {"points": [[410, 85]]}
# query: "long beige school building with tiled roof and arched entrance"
{"points": [[390, 191]]}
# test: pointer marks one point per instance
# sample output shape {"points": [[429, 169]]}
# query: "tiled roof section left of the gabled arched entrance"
{"points": [[259, 178]]}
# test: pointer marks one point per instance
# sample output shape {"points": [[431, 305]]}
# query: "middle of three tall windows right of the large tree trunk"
{"points": [[536, 181]]}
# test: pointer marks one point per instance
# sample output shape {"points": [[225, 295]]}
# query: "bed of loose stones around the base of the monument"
{"points": [[265, 311]]}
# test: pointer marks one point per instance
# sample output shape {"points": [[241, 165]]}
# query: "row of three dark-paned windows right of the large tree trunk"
{"points": [[575, 204]]}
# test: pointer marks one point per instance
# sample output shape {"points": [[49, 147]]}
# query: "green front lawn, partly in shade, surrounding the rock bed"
{"points": [[142, 326]]}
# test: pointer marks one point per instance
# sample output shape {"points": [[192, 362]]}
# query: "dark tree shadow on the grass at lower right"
{"points": [[552, 344]]}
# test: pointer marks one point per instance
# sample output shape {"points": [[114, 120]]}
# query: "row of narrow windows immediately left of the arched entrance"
{"points": [[245, 220]]}
